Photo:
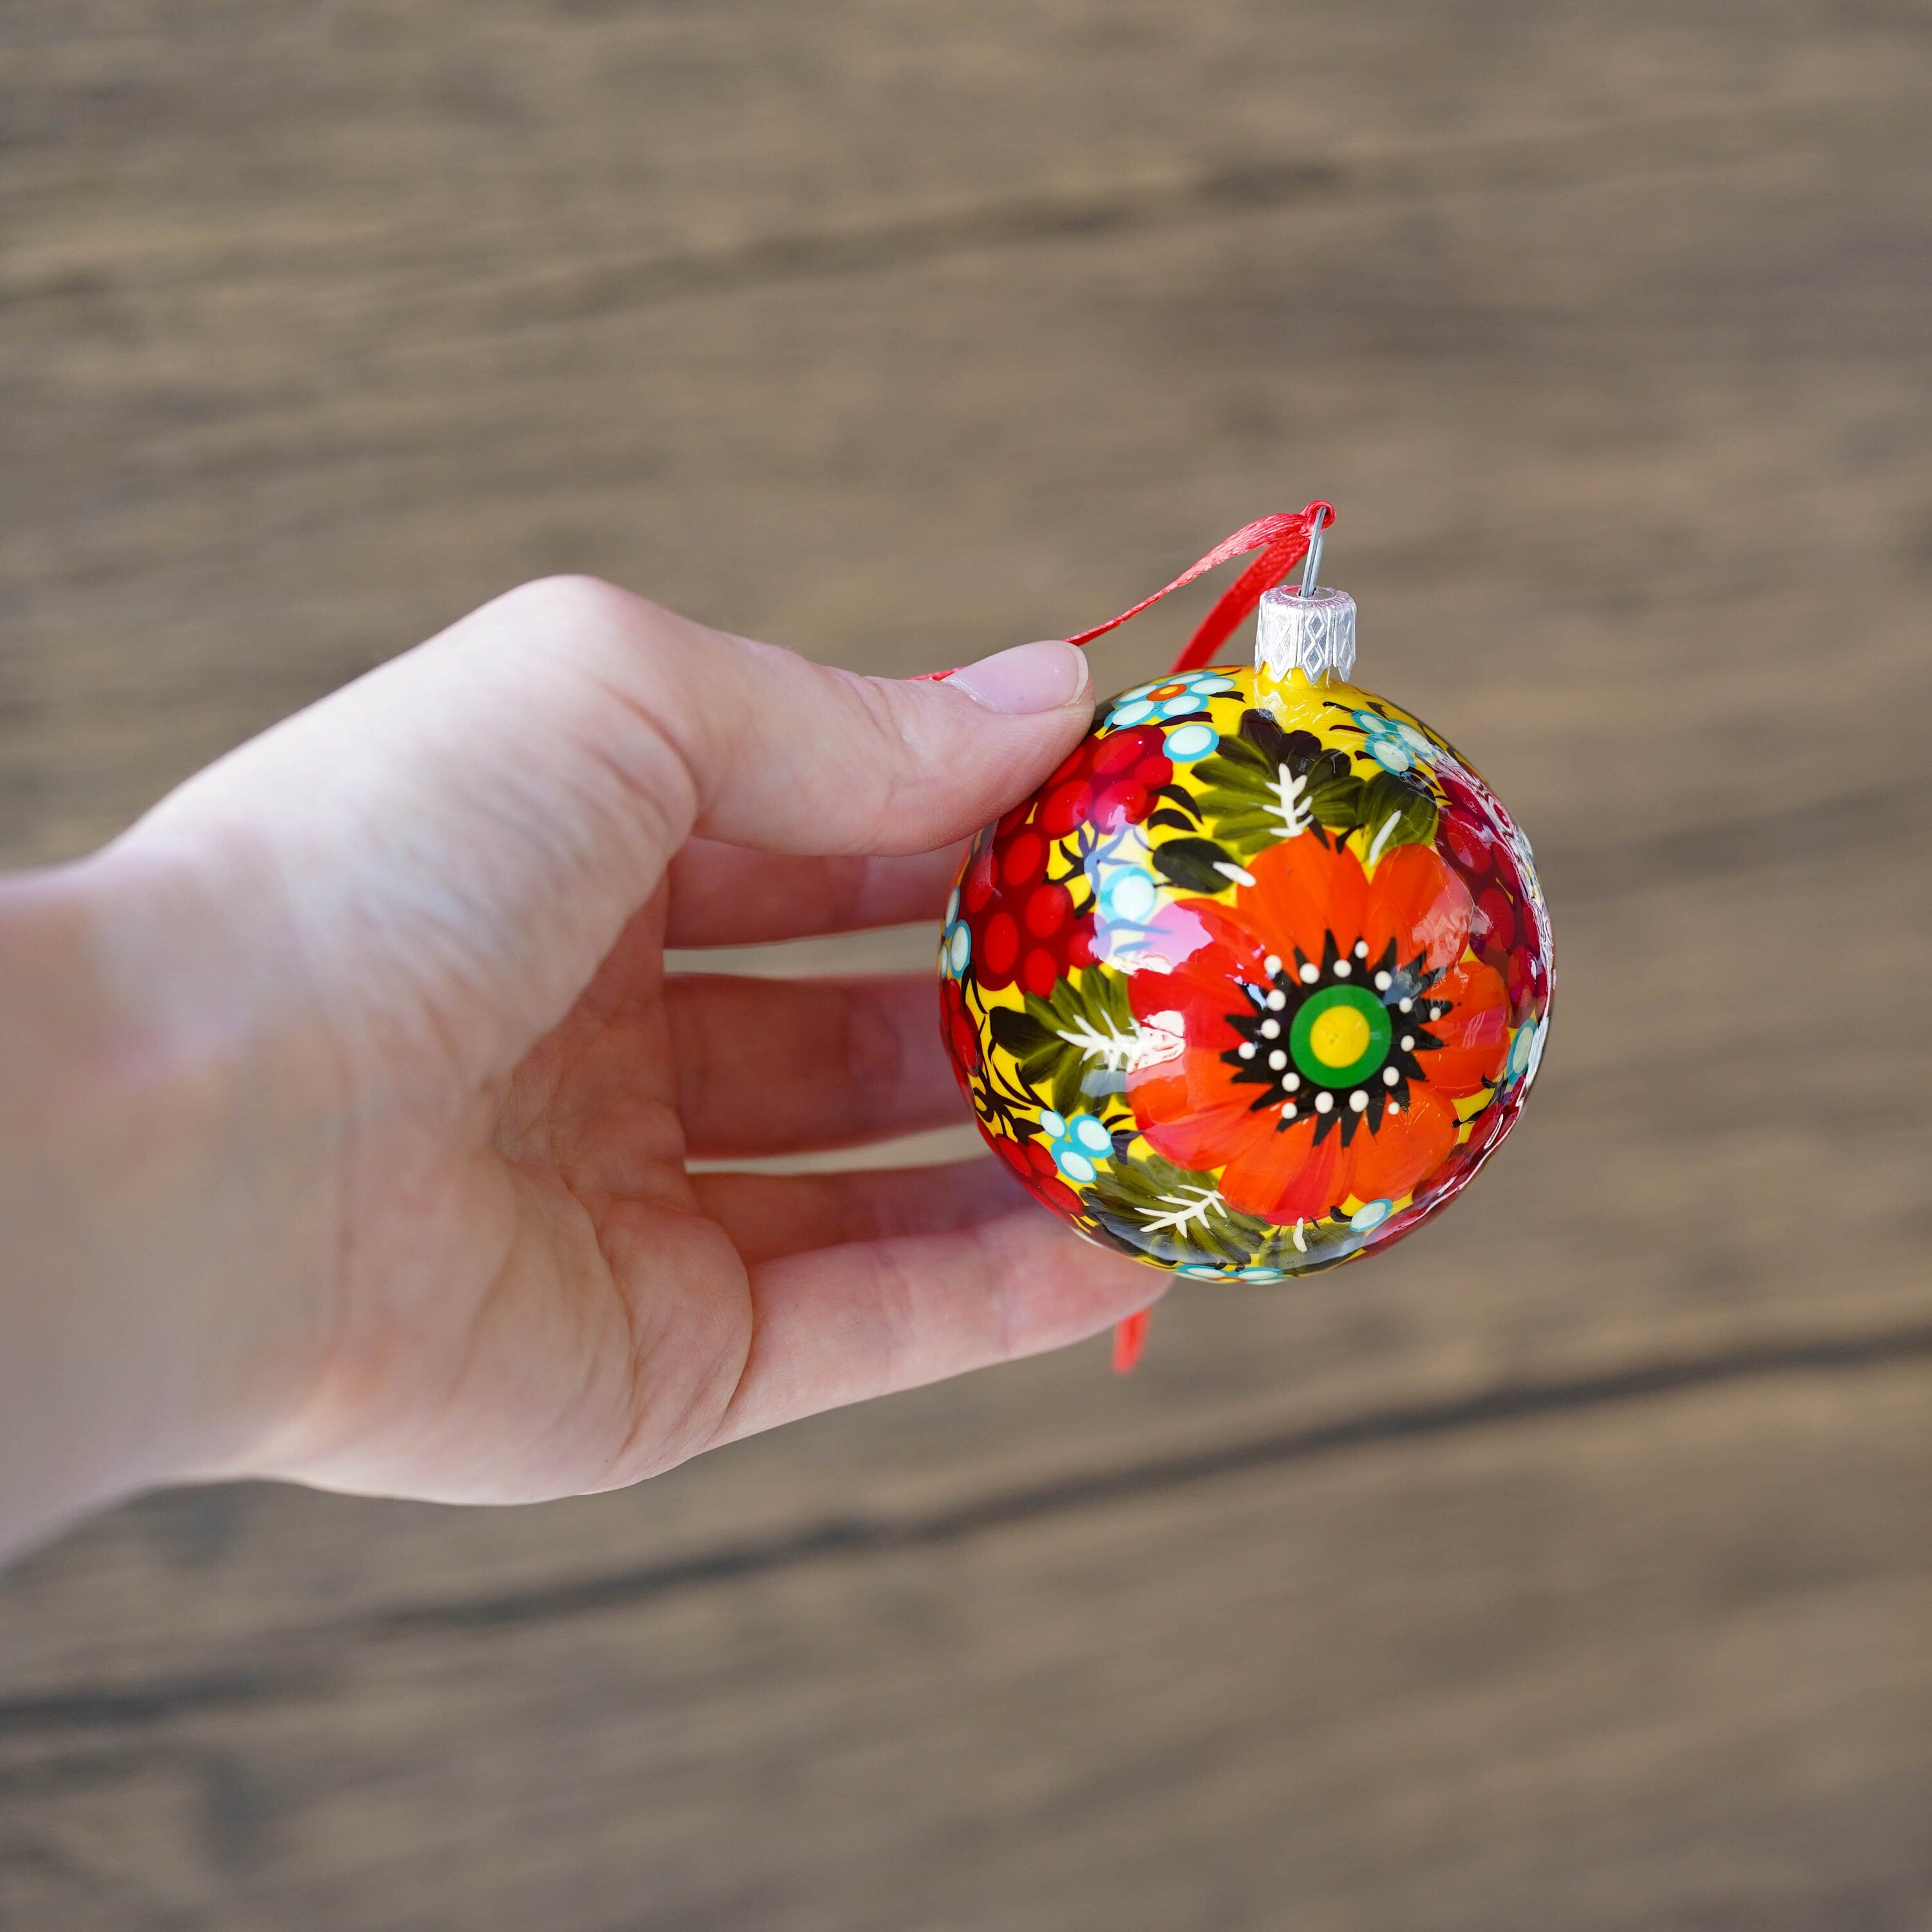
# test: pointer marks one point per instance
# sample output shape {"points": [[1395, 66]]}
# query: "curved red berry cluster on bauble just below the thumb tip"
{"points": [[1023, 923]]}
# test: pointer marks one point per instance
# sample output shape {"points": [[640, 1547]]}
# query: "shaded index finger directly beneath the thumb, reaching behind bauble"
{"points": [[729, 897]]}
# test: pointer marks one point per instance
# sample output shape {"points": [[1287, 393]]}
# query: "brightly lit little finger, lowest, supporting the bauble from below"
{"points": [[845, 1324]]}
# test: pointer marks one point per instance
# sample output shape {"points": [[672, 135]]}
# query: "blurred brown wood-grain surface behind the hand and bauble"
{"points": [[1570, 1568]]}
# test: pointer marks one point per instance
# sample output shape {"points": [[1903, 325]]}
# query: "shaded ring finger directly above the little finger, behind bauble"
{"points": [[772, 1216]]}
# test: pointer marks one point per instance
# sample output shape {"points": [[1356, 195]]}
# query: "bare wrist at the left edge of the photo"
{"points": [[150, 1280]]}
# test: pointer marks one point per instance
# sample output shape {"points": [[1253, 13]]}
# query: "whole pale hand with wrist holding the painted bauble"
{"points": [[391, 1139]]}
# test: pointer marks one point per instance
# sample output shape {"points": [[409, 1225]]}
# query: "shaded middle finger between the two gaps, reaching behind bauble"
{"points": [[787, 1065]]}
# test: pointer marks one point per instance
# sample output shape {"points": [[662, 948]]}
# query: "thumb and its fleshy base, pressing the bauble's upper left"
{"points": [[511, 793]]}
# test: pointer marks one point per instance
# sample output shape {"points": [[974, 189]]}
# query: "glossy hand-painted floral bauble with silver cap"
{"points": [[1261, 977]]}
